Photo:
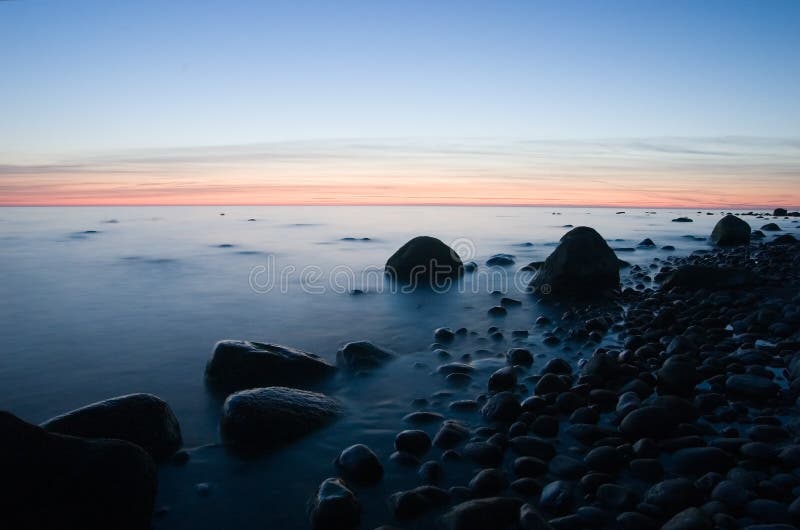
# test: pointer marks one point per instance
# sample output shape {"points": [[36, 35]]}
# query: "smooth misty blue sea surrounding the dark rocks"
{"points": [[137, 305]]}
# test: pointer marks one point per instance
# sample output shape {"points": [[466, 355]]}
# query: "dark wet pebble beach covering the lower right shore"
{"points": [[689, 422]]}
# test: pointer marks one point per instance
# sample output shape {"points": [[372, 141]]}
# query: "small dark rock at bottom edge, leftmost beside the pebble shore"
{"points": [[334, 507]]}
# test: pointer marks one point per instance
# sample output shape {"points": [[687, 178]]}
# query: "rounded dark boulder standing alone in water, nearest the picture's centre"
{"points": [[424, 260]]}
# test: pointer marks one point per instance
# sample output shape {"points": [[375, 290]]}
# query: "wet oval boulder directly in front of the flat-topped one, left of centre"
{"points": [[263, 418]]}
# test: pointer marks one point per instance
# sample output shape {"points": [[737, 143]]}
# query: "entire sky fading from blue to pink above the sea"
{"points": [[563, 102]]}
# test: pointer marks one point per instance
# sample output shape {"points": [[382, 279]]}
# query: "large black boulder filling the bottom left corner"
{"points": [[56, 481]]}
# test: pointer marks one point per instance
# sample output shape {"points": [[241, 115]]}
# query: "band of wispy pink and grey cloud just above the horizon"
{"points": [[723, 171]]}
